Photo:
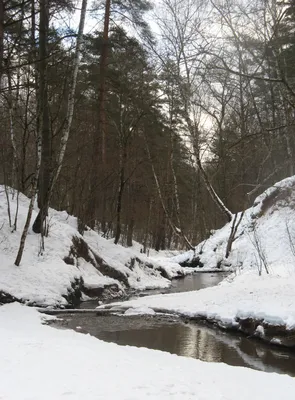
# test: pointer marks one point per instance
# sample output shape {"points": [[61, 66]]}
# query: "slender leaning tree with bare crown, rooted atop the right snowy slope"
{"points": [[181, 36]]}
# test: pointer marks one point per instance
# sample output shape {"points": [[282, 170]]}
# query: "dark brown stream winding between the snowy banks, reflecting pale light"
{"points": [[173, 335]]}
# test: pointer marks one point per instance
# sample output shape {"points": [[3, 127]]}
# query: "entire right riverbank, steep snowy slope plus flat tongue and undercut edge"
{"points": [[259, 298]]}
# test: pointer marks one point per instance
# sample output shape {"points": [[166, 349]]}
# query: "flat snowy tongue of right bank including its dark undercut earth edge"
{"points": [[262, 307]]}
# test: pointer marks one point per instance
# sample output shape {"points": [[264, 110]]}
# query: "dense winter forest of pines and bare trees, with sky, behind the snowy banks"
{"points": [[154, 121]]}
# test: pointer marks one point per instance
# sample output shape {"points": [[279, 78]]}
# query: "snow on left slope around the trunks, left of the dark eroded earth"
{"points": [[45, 278]]}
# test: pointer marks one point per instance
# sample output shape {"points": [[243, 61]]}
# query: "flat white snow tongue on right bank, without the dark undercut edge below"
{"points": [[270, 299]]}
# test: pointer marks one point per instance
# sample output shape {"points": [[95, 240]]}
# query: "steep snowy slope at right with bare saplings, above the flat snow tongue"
{"points": [[266, 236]]}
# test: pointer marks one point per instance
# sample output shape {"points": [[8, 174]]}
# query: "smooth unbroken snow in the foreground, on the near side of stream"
{"points": [[40, 362]]}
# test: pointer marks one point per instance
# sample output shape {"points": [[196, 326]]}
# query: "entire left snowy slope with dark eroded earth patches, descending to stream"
{"points": [[46, 280]]}
